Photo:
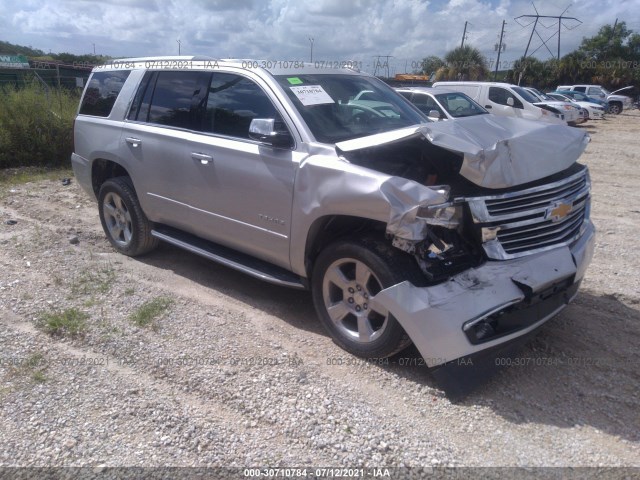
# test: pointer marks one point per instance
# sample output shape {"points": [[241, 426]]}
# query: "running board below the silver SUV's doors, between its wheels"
{"points": [[226, 256]]}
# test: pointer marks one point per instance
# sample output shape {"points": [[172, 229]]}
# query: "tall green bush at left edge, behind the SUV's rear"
{"points": [[36, 126]]}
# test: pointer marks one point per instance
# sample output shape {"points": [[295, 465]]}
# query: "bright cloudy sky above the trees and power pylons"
{"points": [[406, 30]]}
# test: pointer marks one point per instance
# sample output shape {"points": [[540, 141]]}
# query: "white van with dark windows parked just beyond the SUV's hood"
{"points": [[506, 100]]}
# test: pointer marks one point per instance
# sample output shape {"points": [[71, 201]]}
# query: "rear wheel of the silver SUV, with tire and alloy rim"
{"points": [[122, 218]]}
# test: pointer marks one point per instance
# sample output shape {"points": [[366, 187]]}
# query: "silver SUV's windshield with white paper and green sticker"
{"points": [[342, 107]]}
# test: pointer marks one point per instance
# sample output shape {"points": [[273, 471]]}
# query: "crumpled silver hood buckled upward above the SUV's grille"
{"points": [[499, 152]]}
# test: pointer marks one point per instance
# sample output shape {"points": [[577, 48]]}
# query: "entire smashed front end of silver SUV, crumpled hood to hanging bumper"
{"points": [[504, 241]]}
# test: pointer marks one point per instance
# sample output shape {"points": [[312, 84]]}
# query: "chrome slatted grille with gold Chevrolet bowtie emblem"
{"points": [[533, 220]]}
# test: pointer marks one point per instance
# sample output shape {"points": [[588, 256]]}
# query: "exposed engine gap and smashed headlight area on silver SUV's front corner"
{"points": [[433, 234]]}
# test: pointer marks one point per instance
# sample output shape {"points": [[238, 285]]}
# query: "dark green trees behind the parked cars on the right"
{"points": [[610, 58]]}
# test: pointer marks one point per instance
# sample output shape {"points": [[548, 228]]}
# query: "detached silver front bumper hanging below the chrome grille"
{"points": [[491, 305]]}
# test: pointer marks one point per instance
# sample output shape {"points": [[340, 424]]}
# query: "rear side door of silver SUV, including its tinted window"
{"points": [[156, 139]]}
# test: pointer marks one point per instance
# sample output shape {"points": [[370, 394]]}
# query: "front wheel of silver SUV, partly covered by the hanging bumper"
{"points": [[346, 276]]}
